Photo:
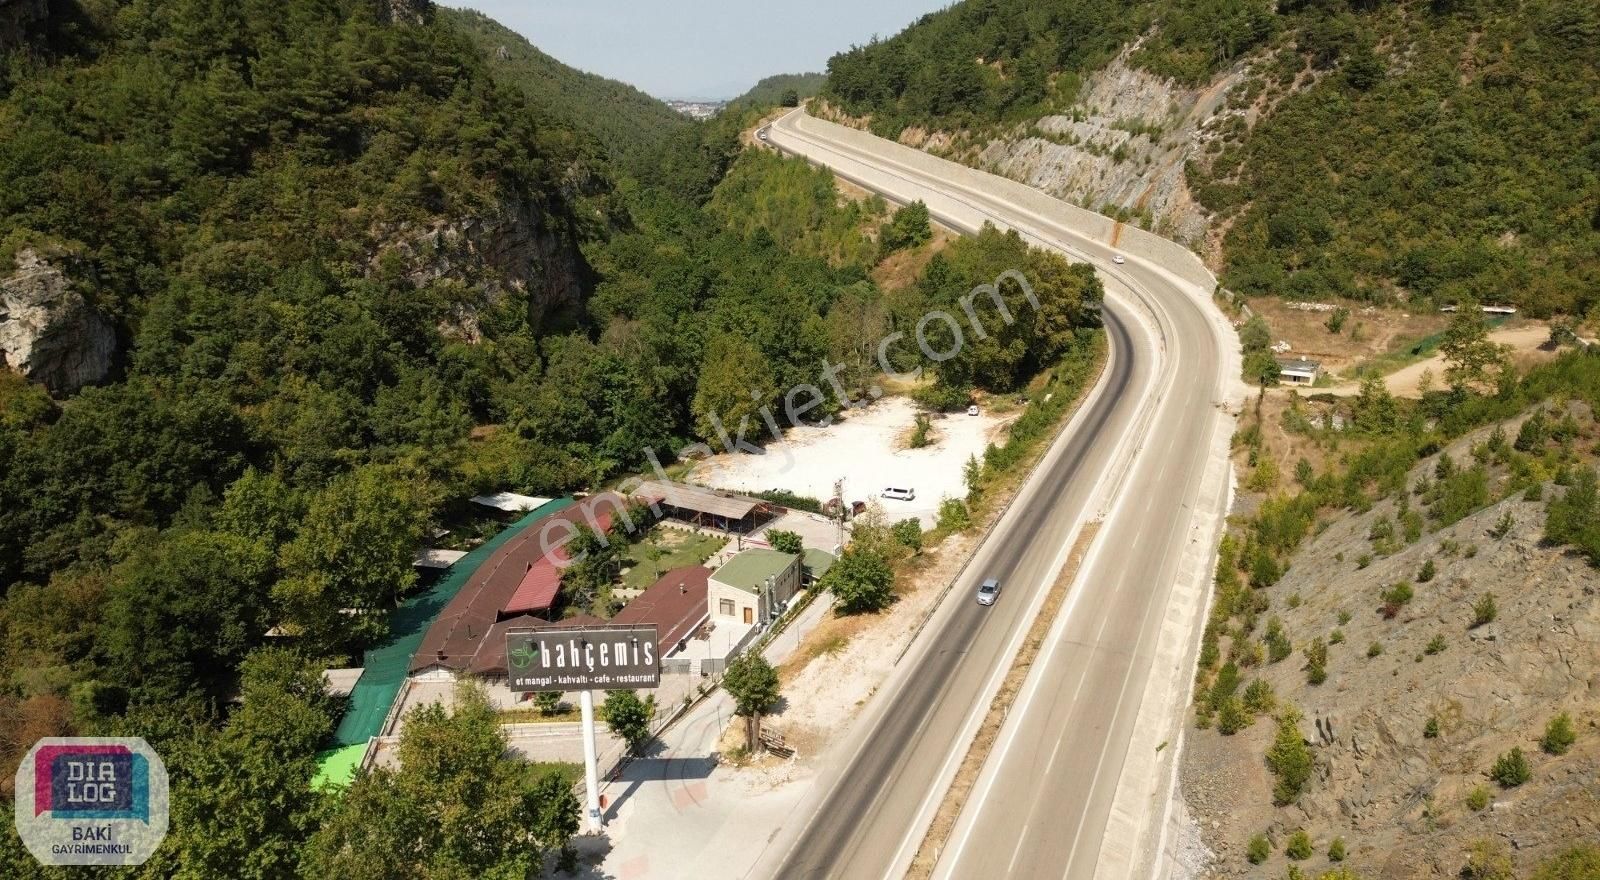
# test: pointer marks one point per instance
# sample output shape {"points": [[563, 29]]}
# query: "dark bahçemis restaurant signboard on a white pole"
{"points": [[591, 658]]}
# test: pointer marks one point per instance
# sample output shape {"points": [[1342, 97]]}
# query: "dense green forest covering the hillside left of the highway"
{"points": [[313, 374]]}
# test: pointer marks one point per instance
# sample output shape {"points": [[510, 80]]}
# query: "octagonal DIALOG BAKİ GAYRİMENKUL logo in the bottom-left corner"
{"points": [[92, 801]]}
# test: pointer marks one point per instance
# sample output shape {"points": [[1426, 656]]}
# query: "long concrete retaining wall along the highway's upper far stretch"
{"points": [[1130, 239]]}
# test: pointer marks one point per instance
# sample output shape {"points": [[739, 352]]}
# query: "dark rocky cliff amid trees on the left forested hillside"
{"points": [[514, 249]]}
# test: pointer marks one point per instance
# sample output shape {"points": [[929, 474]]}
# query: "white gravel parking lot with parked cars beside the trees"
{"points": [[870, 452]]}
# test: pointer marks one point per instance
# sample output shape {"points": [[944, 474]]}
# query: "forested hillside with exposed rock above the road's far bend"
{"points": [[1374, 151]]}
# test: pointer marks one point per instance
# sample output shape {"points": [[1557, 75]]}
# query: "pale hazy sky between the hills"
{"points": [[700, 49]]}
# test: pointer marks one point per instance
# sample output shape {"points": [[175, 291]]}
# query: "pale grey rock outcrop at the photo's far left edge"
{"points": [[49, 332]]}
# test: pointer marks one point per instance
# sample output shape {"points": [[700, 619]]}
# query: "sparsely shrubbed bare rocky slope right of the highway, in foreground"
{"points": [[1391, 626]]}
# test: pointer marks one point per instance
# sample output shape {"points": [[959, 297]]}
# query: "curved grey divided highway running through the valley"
{"points": [[1135, 457]]}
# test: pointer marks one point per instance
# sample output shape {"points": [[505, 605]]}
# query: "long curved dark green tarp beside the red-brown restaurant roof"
{"points": [[385, 668]]}
